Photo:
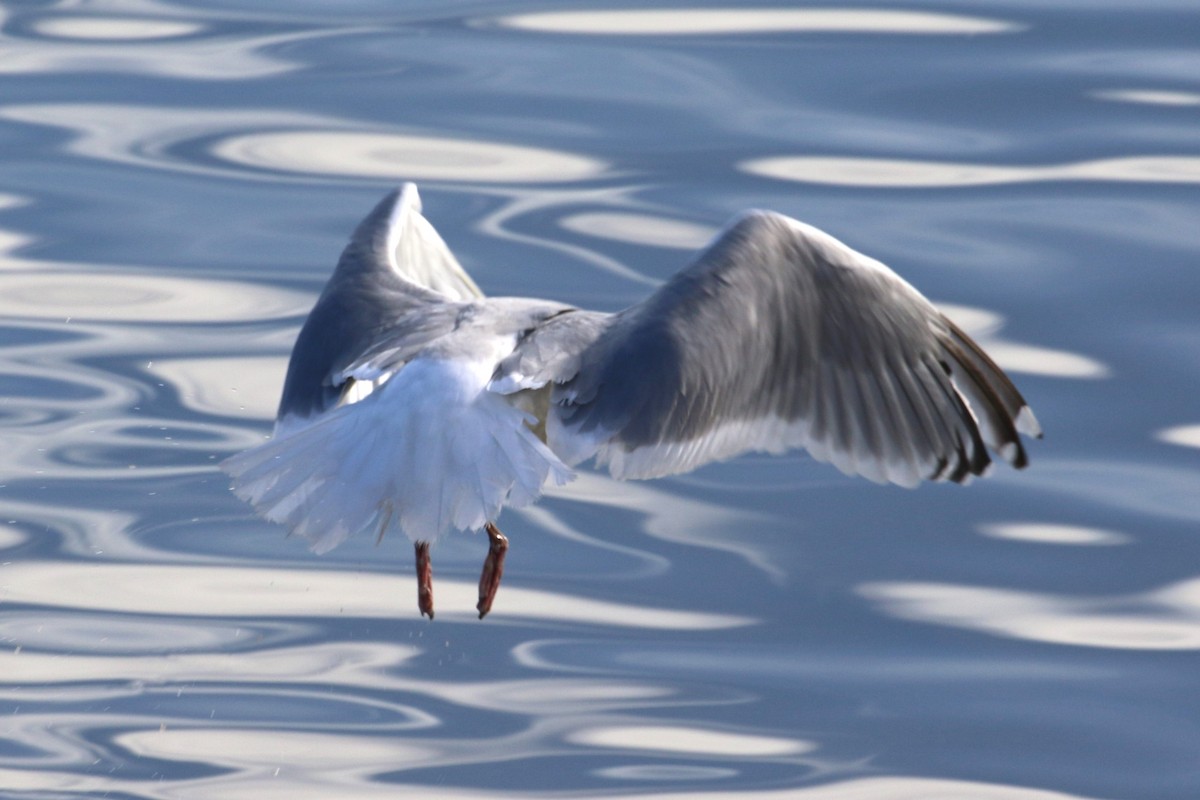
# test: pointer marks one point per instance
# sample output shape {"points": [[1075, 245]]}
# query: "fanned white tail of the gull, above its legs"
{"points": [[428, 452]]}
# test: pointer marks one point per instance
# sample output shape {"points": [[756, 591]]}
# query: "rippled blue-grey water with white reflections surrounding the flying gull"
{"points": [[176, 184]]}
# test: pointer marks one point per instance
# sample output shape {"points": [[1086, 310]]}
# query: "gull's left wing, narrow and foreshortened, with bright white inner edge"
{"points": [[397, 280]]}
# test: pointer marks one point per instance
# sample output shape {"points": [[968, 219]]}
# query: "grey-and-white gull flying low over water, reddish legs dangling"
{"points": [[413, 404]]}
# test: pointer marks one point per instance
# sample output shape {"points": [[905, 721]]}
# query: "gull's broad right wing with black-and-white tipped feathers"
{"points": [[779, 336]]}
